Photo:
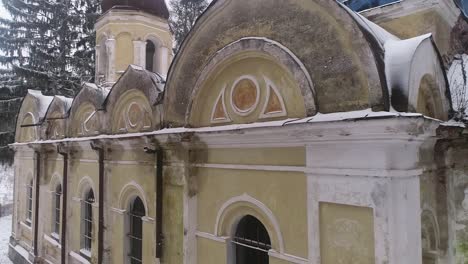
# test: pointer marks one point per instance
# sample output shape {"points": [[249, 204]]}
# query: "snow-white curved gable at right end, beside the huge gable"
{"points": [[417, 78]]}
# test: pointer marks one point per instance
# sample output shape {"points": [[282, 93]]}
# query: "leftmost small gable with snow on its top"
{"points": [[31, 116]]}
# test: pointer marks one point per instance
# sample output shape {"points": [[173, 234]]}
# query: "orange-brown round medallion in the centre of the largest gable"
{"points": [[245, 95]]}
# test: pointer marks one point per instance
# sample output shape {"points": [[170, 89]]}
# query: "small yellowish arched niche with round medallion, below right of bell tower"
{"points": [[132, 113]]}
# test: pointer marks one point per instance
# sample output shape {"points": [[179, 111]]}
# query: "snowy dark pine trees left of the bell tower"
{"points": [[47, 45]]}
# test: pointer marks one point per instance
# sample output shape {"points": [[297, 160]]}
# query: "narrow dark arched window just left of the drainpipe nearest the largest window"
{"points": [[135, 235]]}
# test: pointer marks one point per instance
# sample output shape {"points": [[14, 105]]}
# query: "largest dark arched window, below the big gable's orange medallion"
{"points": [[251, 242]]}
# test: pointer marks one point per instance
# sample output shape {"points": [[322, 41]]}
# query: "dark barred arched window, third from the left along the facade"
{"points": [[87, 223]]}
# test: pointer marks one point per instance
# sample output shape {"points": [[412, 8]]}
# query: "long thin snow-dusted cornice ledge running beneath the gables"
{"points": [[318, 118]]}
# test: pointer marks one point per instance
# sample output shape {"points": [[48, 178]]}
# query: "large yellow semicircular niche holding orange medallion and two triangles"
{"points": [[248, 81]]}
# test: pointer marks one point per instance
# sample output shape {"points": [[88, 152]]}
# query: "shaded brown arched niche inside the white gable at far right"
{"points": [[429, 102]]}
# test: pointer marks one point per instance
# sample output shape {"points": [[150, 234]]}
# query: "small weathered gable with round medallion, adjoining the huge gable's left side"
{"points": [[133, 104]]}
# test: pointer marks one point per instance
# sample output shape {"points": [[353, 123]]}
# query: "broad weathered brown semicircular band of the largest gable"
{"points": [[320, 33]]}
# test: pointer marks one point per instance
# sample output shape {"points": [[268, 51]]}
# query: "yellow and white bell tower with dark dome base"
{"points": [[132, 32]]}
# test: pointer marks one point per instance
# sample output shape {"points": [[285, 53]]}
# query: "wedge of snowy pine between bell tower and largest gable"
{"points": [[184, 14]]}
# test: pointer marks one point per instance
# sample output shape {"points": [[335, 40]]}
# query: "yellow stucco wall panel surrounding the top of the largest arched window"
{"points": [[288, 205]]}
